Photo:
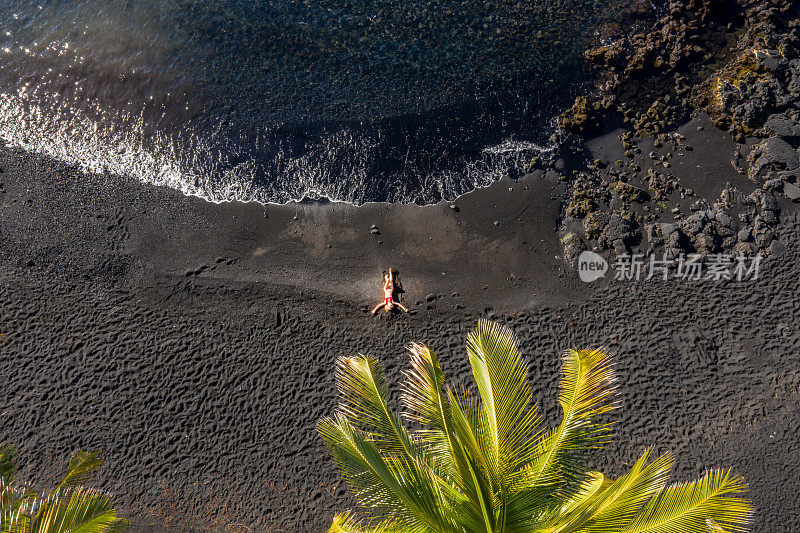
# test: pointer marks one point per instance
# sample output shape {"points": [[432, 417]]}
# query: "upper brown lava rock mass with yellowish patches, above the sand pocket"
{"points": [[656, 76]]}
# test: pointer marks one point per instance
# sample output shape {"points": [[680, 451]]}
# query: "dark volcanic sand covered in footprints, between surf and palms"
{"points": [[204, 388]]}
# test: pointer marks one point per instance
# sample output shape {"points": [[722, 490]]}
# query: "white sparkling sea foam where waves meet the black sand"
{"points": [[336, 167]]}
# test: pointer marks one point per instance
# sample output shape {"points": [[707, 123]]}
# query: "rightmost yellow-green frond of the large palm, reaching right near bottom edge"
{"points": [[711, 502]]}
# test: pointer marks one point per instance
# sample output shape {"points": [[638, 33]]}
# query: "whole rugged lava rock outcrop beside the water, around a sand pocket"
{"points": [[737, 60]]}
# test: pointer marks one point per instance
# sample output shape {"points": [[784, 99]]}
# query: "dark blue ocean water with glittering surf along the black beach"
{"points": [[277, 100]]}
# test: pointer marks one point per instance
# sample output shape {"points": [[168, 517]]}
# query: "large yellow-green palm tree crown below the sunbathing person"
{"points": [[487, 465]]}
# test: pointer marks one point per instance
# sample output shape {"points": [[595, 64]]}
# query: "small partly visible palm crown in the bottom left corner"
{"points": [[69, 507]]}
